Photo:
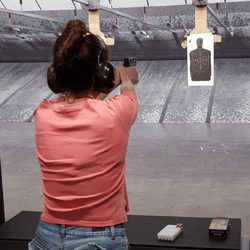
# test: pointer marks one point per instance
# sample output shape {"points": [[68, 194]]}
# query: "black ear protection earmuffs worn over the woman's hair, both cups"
{"points": [[103, 81]]}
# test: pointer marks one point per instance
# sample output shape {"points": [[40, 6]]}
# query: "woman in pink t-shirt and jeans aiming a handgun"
{"points": [[81, 145]]}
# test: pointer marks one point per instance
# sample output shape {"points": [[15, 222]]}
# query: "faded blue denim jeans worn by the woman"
{"points": [[65, 237]]}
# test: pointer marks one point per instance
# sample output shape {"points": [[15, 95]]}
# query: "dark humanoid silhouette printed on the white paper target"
{"points": [[200, 63]]}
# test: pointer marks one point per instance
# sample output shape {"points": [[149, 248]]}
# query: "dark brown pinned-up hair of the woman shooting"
{"points": [[74, 65]]}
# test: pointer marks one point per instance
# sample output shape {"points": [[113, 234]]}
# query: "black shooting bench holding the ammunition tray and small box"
{"points": [[141, 231]]}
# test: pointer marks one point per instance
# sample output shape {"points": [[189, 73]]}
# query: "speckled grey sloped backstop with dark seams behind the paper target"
{"points": [[163, 92]]}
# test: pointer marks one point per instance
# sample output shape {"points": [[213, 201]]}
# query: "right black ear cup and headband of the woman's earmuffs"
{"points": [[106, 72]]}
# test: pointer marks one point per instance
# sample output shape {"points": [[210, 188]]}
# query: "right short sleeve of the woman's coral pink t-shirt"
{"points": [[126, 107]]}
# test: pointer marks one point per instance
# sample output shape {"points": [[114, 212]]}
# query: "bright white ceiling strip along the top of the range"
{"points": [[33, 5]]}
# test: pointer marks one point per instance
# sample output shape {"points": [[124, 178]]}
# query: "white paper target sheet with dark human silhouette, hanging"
{"points": [[200, 59]]}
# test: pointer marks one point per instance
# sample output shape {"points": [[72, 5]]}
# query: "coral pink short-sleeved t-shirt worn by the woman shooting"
{"points": [[81, 148]]}
